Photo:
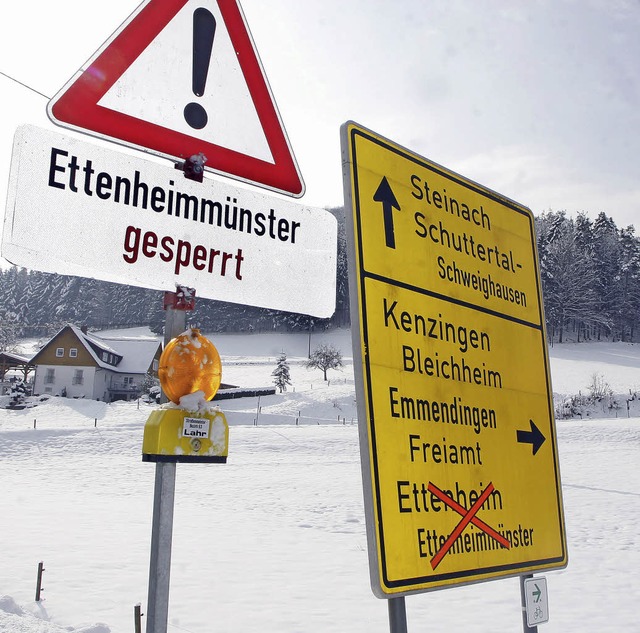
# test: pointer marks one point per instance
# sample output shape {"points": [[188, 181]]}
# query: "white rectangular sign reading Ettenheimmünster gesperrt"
{"points": [[76, 208]]}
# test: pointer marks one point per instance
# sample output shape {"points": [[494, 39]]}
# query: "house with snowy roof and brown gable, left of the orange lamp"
{"points": [[81, 365]]}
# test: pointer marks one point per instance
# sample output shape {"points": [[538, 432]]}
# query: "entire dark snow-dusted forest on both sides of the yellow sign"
{"points": [[590, 273]]}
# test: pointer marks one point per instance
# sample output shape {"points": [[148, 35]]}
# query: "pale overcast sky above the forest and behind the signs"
{"points": [[536, 99]]}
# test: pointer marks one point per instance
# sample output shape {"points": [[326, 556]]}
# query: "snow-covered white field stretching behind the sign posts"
{"points": [[274, 541]]}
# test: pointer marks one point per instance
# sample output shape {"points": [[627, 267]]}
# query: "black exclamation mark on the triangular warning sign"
{"points": [[204, 28]]}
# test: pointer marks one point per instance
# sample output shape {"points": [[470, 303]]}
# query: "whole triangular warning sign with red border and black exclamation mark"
{"points": [[183, 77]]}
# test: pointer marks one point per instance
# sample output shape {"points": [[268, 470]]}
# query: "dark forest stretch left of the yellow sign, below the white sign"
{"points": [[33, 303]]}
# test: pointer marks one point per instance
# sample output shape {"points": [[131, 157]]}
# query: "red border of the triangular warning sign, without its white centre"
{"points": [[76, 104]]}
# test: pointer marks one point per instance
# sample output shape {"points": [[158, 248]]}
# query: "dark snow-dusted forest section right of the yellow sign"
{"points": [[590, 273]]}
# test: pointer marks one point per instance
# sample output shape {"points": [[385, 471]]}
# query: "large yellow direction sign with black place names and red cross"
{"points": [[458, 443]]}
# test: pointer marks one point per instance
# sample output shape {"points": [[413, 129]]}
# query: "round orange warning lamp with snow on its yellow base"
{"points": [[189, 363]]}
